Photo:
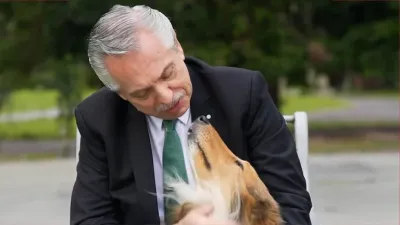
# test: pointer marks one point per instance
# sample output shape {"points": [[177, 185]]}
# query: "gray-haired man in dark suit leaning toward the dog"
{"points": [[149, 83]]}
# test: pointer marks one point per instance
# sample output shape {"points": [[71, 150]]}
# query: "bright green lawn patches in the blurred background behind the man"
{"points": [[49, 128]]}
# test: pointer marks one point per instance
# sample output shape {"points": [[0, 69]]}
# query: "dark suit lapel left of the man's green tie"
{"points": [[139, 148]]}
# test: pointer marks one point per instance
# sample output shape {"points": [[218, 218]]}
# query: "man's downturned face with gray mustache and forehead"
{"points": [[154, 79]]}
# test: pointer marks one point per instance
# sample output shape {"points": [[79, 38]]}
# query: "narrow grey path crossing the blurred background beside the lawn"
{"points": [[361, 109]]}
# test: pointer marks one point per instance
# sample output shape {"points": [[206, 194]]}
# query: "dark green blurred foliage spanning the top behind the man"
{"points": [[45, 44]]}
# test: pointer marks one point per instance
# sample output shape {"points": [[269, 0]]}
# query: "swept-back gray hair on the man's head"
{"points": [[115, 34]]}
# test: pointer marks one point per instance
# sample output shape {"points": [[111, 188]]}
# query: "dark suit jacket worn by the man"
{"points": [[115, 169]]}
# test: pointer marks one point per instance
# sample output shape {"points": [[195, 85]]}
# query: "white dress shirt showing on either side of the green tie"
{"points": [[157, 136]]}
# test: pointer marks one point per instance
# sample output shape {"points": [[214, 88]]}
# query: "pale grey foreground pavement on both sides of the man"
{"points": [[357, 189]]}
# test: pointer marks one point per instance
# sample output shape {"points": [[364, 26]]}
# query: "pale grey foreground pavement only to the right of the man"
{"points": [[356, 189]]}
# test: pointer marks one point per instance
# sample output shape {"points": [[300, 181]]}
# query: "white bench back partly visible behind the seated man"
{"points": [[300, 122]]}
